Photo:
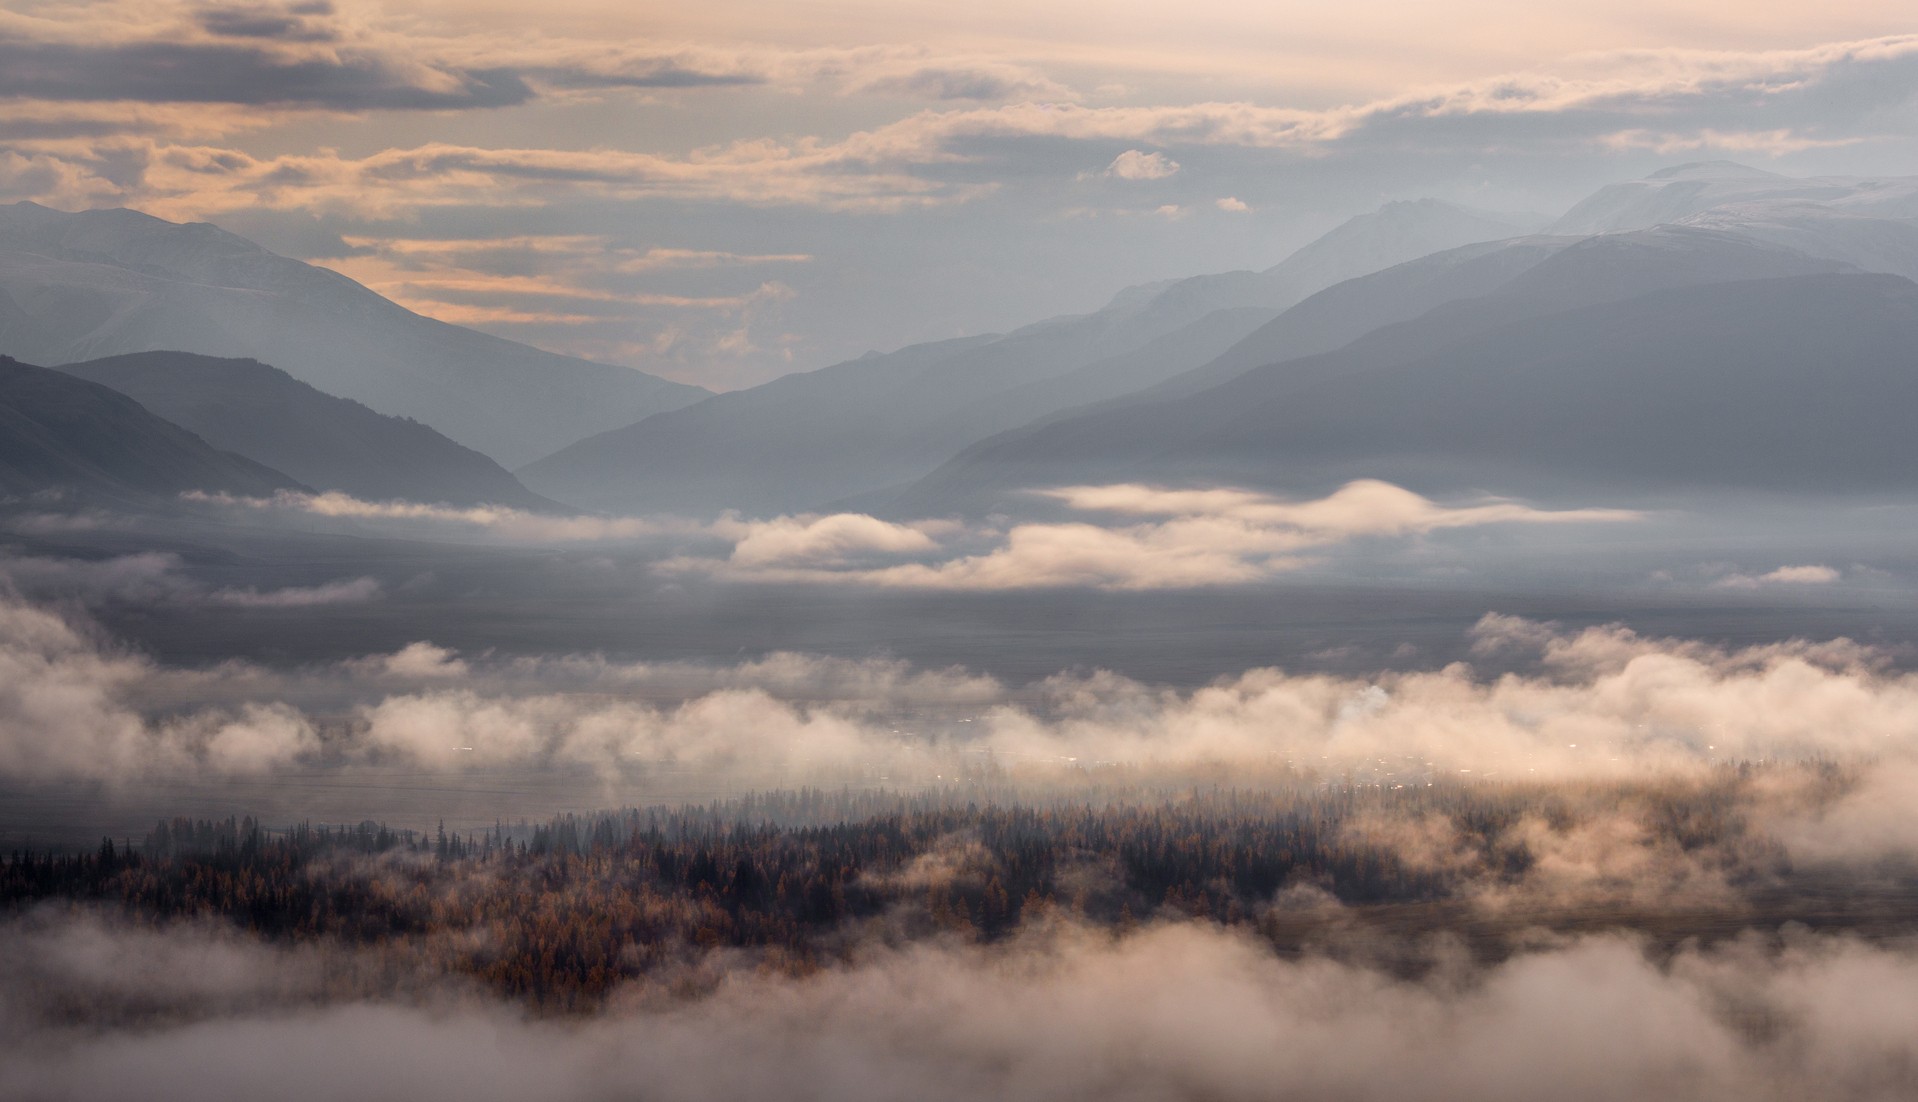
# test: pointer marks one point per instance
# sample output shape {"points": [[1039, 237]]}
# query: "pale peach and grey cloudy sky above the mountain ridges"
{"points": [[730, 193]]}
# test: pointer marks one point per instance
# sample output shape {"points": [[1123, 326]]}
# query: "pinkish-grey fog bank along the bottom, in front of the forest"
{"points": [[1060, 1013]]}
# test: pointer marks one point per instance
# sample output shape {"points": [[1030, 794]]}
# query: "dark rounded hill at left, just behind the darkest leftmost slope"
{"points": [[329, 444]]}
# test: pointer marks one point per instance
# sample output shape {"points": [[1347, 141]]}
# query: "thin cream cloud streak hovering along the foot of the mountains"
{"points": [[1150, 540]]}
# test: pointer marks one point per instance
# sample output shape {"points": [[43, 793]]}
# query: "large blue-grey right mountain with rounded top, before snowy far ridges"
{"points": [[1447, 386]]}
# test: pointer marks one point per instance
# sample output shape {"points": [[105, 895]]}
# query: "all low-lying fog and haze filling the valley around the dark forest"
{"points": [[310, 660]]}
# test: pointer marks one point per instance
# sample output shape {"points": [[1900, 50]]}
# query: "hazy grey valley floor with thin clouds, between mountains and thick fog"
{"points": [[1161, 587]]}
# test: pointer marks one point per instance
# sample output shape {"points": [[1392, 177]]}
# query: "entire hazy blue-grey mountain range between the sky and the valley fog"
{"points": [[1710, 327]]}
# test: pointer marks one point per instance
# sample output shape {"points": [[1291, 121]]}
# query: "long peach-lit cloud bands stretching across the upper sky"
{"points": [[1769, 101]]}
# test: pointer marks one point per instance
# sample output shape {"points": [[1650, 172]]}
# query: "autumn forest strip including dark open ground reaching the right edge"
{"points": [[559, 915]]}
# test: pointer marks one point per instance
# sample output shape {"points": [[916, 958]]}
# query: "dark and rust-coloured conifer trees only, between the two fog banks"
{"points": [[561, 913]]}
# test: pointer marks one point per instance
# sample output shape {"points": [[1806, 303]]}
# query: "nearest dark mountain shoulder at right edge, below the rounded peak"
{"points": [[1798, 384]]}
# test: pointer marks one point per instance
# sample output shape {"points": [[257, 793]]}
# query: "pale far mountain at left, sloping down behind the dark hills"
{"points": [[110, 283]]}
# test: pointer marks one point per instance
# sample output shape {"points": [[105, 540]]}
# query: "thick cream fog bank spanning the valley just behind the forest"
{"points": [[1602, 704]]}
